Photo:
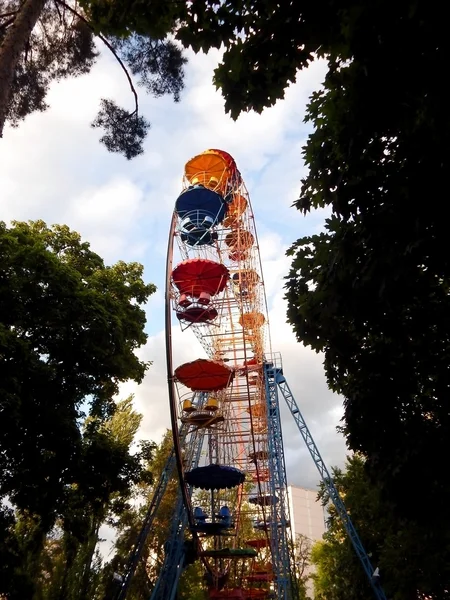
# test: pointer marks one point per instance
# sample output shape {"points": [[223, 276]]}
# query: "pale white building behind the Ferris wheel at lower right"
{"points": [[307, 518]]}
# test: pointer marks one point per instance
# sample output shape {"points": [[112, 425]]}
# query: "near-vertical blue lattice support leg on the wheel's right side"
{"points": [[281, 534]]}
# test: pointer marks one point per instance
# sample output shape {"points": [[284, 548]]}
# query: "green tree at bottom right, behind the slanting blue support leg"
{"points": [[413, 561]]}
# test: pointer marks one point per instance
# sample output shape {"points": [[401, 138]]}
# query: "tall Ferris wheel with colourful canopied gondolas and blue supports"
{"points": [[232, 512]]}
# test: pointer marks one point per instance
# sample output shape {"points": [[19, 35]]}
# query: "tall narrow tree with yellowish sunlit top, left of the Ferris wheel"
{"points": [[108, 473]]}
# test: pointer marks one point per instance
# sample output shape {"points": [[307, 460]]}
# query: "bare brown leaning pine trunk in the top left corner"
{"points": [[12, 47]]}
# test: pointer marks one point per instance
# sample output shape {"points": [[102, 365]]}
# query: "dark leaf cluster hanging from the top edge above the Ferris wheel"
{"points": [[266, 42]]}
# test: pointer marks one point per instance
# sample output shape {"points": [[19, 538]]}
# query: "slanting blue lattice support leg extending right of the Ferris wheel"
{"points": [[276, 373]]}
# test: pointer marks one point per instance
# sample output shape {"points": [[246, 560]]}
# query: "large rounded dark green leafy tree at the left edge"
{"points": [[69, 329]]}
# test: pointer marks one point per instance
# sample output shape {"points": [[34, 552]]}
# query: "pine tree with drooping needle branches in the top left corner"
{"points": [[42, 41]]}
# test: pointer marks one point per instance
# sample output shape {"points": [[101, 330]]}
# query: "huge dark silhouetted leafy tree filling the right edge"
{"points": [[372, 292]]}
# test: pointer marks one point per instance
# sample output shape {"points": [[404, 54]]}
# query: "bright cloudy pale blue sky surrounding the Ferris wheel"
{"points": [[53, 168]]}
